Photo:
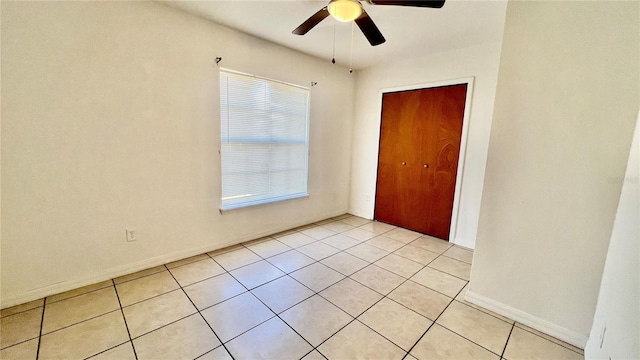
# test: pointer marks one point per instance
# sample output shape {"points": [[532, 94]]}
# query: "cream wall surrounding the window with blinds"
{"points": [[110, 120]]}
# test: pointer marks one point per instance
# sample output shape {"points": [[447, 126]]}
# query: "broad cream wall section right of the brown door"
{"points": [[566, 104]]}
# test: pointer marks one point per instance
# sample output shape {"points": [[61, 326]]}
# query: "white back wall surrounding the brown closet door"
{"points": [[480, 62]]}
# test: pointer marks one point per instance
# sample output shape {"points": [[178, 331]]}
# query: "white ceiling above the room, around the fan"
{"points": [[410, 31]]}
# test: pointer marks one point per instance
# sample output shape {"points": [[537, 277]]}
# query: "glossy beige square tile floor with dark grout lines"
{"points": [[342, 288]]}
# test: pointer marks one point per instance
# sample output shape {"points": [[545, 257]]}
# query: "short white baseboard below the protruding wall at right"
{"points": [[569, 336]]}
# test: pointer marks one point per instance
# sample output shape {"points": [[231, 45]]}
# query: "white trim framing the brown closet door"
{"points": [[463, 138]]}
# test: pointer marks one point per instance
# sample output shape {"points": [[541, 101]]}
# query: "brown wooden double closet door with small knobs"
{"points": [[418, 160]]}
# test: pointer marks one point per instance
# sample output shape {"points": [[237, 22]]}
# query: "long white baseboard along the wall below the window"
{"points": [[109, 274]]}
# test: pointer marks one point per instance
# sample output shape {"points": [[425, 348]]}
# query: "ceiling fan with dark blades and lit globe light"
{"points": [[352, 10]]}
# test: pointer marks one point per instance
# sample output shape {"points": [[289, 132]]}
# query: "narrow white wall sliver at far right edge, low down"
{"points": [[615, 333]]}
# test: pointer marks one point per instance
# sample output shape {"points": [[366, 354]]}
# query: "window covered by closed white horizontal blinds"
{"points": [[264, 140]]}
